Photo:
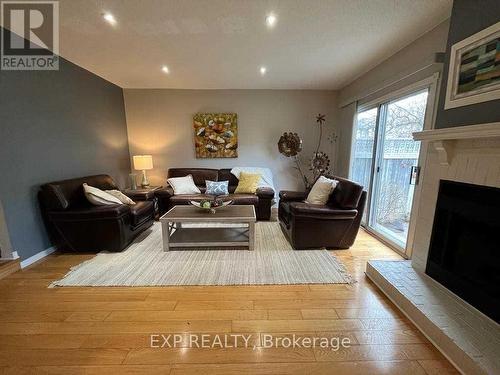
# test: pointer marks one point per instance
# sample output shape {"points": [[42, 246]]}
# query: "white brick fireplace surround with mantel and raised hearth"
{"points": [[467, 337]]}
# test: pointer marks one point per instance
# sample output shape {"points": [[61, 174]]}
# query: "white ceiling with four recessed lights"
{"points": [[216, 44]]}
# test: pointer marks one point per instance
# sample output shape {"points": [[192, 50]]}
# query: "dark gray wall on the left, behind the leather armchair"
{"points": [[55, 125]]}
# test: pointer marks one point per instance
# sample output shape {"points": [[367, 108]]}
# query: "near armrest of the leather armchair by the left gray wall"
{"points": [[91, 213]]}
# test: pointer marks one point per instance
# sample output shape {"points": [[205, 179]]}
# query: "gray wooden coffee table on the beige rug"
{"points": [[175, 235]]}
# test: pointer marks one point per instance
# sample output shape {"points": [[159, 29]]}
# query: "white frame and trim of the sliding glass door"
{"points": [[431, 84]]}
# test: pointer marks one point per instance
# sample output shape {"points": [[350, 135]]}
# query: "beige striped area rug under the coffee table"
{"points": [[273, 261]]}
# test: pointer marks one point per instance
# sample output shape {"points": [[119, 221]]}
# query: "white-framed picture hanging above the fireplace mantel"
{"points": [[474, 71]]}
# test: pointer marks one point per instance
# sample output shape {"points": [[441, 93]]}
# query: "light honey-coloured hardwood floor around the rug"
{"points": [[107, 330]]}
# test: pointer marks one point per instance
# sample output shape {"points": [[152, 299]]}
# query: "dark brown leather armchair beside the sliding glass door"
{"points": [[334, 225]]}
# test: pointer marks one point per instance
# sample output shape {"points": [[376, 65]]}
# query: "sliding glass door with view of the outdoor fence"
{"points": [[385, 159]]}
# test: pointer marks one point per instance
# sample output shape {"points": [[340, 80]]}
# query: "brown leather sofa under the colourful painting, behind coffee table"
{"points": [[262, 199]]}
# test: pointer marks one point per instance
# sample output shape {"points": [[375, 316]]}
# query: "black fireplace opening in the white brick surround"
{"points": [[464, 253]]}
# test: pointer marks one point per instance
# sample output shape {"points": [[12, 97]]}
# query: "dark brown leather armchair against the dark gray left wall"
{"points": [[75, 223]]}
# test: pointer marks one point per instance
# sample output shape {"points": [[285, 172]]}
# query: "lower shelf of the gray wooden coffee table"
{"points": [[209, 237]]}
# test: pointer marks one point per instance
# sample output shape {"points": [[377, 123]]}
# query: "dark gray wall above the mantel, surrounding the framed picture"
{"points": [[467, 18]]}
